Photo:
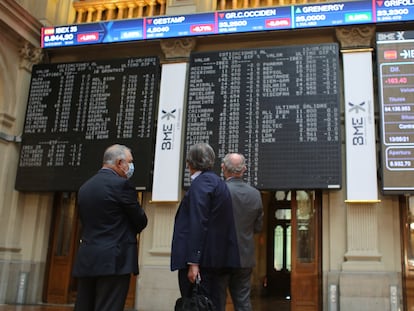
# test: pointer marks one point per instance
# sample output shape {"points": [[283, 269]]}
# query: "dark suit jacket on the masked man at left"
{"points": [[111, 218]]}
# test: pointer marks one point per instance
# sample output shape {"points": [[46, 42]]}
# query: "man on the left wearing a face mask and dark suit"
{"points": [[111, 218]]}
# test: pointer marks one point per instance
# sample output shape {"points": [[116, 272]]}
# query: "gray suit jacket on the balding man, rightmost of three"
{"points": [[248, 216]]}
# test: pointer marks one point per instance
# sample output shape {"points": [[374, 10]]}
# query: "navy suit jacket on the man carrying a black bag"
{"points": [[204, 229]]}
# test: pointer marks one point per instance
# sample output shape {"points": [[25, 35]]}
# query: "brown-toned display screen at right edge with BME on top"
{"points": [[395, 55]]}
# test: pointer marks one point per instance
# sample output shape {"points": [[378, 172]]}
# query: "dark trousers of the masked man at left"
{"points": [[104, 293]]}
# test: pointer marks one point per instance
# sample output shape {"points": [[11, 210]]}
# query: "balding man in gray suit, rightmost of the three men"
{"points": [[248, 216]]}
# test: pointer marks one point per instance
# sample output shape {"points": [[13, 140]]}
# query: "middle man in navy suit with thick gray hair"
{"points": [[204, 239]]}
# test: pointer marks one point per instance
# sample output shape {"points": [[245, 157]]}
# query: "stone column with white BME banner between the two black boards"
{"points": [[161, 206]]}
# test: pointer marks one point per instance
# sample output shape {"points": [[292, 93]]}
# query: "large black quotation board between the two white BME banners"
{"points": [[278, 106]]}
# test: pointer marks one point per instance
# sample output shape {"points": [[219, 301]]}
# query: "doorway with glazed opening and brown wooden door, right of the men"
{"points": [[293, 250]]}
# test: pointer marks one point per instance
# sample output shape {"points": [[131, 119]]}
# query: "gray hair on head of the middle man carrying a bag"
{"points": [[201, 157]]}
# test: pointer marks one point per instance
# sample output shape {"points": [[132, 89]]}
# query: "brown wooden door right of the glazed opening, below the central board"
{"points": [[306, 293]]}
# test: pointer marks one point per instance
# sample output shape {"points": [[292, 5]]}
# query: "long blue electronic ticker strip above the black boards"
{"points": [[228, 22]]}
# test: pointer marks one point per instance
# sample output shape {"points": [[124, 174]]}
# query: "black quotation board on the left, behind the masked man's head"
{"points": [[76, 110]]}
